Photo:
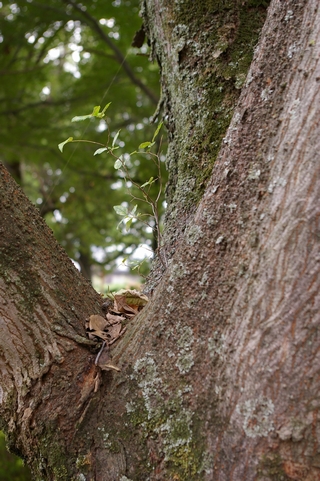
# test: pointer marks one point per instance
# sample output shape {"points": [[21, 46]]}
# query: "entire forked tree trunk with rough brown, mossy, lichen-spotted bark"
{"points": [[220, 372]]}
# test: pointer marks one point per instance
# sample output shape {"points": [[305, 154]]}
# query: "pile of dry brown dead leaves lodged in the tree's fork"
{"points": [[119, 308]]}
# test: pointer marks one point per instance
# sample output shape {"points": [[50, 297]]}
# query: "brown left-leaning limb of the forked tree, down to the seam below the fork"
{"points": [[43, 305]]}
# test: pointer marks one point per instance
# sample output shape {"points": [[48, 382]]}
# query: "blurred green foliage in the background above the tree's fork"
{"points": [[58, 60]]}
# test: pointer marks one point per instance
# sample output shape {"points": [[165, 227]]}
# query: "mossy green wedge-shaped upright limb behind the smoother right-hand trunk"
{"points": [[204, 49]]}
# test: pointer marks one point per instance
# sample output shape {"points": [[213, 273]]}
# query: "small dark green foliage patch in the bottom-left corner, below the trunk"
{"points": [[11, 467]]}
